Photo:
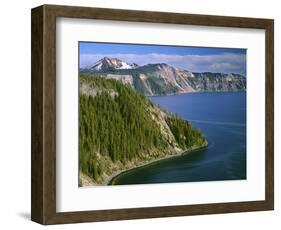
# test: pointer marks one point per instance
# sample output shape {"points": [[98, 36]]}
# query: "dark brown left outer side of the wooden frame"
{"points": [[37, 115]]}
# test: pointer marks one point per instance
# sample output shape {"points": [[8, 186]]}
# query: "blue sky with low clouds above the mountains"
{"points": [[196, 59]]}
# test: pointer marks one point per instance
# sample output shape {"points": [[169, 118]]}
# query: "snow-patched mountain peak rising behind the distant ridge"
{"points": [[110, 64]]}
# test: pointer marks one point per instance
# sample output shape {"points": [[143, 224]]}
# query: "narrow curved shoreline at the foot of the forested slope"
{"points": [[111, 179]]}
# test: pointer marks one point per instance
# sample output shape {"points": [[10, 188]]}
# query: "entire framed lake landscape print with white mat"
{"points": [[141, 114]]}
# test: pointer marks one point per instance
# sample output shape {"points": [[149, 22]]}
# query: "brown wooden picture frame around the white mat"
{"points": [[43, 189]]}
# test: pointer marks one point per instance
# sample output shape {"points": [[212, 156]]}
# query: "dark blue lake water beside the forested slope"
{"points": [[222, 118]]}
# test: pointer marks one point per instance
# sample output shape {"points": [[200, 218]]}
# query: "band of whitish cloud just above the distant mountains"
{"points": [[226, 62]]}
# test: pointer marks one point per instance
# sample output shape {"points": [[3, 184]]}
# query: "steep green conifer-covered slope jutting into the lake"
{"points": [[121, 129]]}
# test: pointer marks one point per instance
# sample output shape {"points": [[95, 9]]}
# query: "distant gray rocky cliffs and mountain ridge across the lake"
{"points": [[163, 79]]}
